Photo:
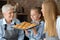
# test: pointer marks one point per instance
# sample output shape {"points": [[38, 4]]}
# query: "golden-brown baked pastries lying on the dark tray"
{"points": [[24, 25]]}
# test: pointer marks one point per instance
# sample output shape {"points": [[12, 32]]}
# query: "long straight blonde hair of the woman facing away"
{"points": [[50, 16]]}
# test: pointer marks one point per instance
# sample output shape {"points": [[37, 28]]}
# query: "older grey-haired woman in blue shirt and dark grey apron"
{"points": [[7, 32]]}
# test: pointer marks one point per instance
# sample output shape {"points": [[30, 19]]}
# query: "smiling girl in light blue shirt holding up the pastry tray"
{"points": [[36, 32]]}
